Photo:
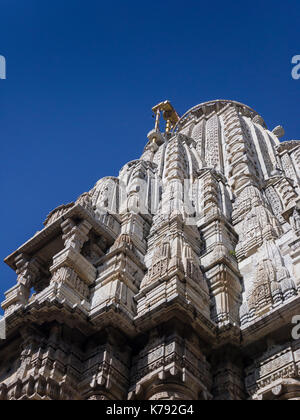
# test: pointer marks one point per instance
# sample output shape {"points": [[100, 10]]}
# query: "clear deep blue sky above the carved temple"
{"points": [[83, 76]]}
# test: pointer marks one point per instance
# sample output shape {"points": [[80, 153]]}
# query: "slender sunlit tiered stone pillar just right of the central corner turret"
{"points": [[219, 261]]}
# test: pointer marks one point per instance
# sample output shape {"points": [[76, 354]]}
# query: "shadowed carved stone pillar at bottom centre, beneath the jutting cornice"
{"points": [[170, 367]]}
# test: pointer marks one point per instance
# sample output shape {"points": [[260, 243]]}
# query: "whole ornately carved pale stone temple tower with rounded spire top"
{"points": [[177, 280]]}
